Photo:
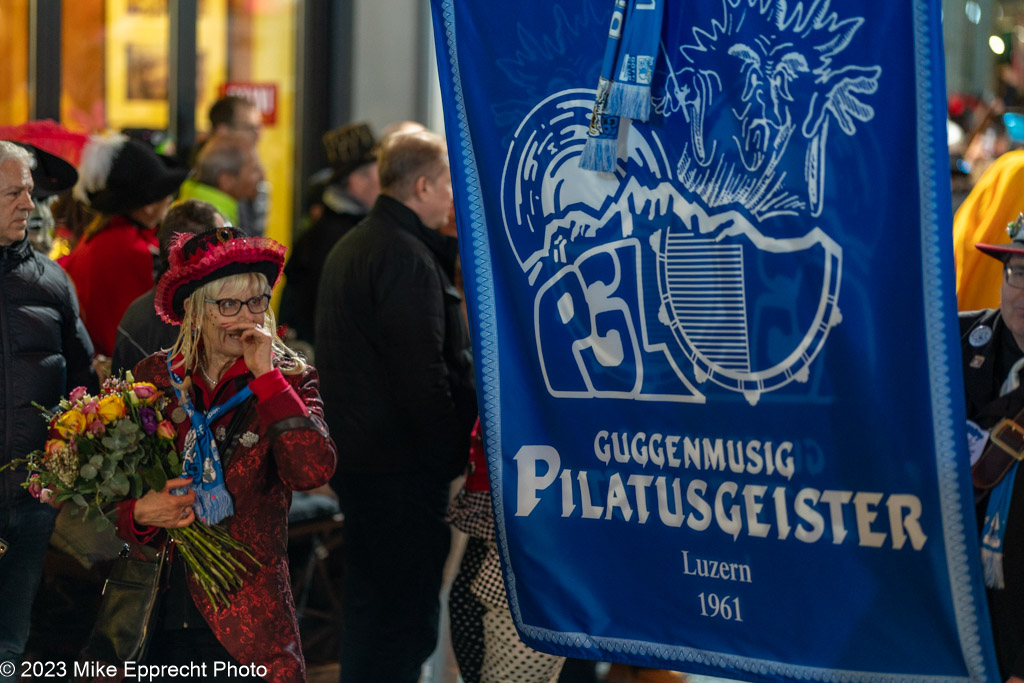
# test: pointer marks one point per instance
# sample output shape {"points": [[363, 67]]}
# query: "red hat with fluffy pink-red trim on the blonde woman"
{"points": [[198, 260]]}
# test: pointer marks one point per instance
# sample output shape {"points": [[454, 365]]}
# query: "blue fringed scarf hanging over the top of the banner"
{"points": [[624, 89]]}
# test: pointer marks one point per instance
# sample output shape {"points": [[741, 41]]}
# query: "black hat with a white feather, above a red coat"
{"points": [[118, 176]]}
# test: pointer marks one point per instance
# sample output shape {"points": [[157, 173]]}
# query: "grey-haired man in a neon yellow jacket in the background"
{"points": [[228, 173]]}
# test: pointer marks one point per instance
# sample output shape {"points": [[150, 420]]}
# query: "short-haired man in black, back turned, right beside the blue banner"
{"points": [[398, 386]]}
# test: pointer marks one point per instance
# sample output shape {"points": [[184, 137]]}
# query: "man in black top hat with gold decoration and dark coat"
{"points": [[348, 199]]}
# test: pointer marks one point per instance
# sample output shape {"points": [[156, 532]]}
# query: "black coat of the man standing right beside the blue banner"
{"points": [[393, 349]]}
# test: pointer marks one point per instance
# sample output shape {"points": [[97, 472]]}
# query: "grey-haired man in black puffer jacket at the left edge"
{"points": [[45, 353]]}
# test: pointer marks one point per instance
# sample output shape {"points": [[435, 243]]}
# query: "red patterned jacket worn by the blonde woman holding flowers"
{"points": [[293, 453]]}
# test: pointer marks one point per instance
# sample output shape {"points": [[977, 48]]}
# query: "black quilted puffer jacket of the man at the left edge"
{"points": [[45, 353]]}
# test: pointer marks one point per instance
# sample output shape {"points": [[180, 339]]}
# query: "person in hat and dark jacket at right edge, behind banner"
{"points": [[993, 345]]}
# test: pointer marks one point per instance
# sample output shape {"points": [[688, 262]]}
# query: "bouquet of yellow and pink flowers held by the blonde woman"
{"points": [[106, 449]]}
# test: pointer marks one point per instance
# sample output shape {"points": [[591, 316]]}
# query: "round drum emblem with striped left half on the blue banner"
{"points": [[734, 327]]}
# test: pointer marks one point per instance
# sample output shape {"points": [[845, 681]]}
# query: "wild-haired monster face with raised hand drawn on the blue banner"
{"points": [[764, 112]]}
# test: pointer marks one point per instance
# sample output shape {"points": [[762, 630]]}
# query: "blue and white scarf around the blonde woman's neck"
{"points": [[200, 458]]}
